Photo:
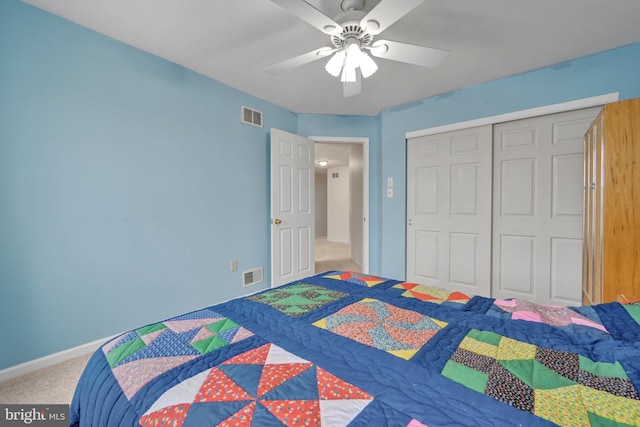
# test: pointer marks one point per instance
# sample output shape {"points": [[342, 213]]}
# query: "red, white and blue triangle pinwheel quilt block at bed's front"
{"points": [[263, 386]]}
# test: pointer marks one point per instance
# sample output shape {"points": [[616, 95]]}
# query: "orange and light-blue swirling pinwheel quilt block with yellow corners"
{"points": [[383, 326]]}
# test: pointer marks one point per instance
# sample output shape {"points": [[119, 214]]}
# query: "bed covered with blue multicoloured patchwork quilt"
{"points": [[344, 348]]}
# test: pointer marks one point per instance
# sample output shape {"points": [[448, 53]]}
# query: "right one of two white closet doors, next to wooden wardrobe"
{"points": [[538, 191]]}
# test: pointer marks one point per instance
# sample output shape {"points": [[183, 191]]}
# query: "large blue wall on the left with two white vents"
{"points": [[127, 185]]}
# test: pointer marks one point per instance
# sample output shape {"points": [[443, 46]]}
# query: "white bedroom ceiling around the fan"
{"points": [[233, 40]]}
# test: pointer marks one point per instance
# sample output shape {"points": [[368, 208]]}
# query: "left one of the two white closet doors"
{"points": [[449, 210]]}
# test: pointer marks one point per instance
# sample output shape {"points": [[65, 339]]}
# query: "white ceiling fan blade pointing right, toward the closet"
{"points": [[409, 53]]}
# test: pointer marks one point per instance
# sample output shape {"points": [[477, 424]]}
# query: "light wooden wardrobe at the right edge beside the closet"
{"points": [[611, 256]]}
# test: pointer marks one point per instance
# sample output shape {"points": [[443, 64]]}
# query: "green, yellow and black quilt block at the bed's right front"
{"points": [[535, 379]]}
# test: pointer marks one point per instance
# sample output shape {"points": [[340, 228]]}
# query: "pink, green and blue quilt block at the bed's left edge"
{"points": [[139, 356]]}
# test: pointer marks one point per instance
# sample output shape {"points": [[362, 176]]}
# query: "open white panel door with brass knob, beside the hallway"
{"points": [[292, 208]]}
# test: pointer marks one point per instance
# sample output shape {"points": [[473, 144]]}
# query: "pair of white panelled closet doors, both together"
{"points": [[497, 210]]}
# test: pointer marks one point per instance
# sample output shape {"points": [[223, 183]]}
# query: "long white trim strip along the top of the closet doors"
{"points": [[593, 101]]}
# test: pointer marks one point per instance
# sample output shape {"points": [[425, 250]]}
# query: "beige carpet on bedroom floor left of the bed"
{"points": [[51, 385]]}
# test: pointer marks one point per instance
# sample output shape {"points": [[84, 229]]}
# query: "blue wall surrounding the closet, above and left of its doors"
{"points": [[616, 70]]}
